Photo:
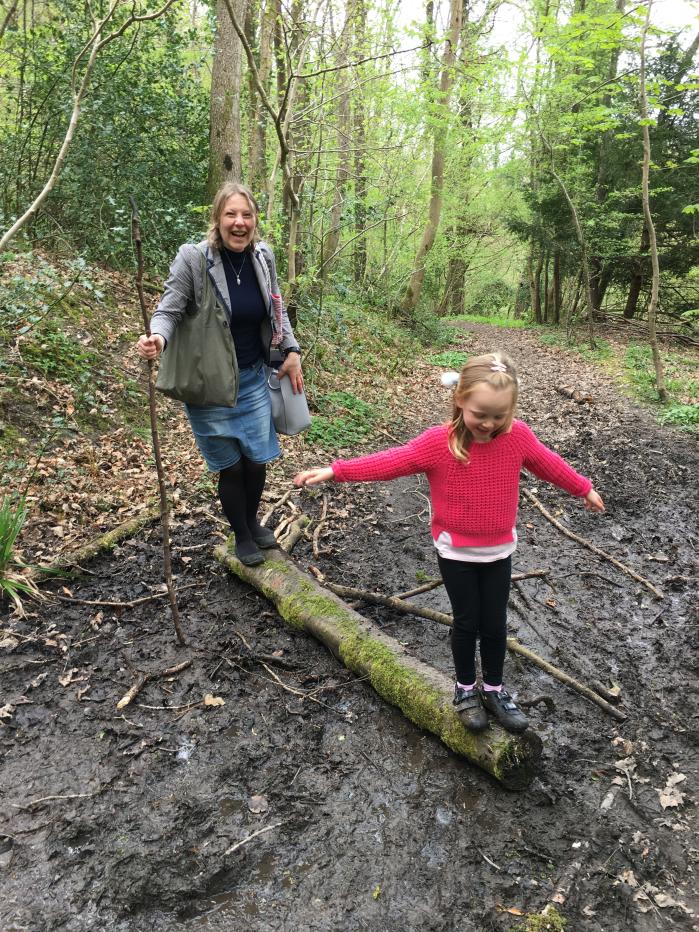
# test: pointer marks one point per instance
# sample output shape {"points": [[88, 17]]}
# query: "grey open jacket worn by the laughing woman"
{"points": [[183, 290]]}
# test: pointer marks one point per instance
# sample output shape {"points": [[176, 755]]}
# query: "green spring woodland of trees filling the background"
{"points": [[404, 154]]}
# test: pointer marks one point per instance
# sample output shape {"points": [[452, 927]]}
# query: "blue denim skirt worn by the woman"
{"points": [[223, 434]]}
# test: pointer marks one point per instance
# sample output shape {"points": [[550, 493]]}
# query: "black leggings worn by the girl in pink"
{"points": [[478, 593]]}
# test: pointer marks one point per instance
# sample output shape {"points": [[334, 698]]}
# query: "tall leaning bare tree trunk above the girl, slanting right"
{"points": [[414, 289]]}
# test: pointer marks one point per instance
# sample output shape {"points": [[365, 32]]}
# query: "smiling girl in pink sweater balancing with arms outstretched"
{"points": [[473, 465]]}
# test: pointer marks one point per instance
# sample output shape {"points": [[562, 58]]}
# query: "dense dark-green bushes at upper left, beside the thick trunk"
{"points": [[143, 132]]}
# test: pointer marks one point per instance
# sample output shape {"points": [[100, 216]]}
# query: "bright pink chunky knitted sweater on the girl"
{"points": [[475, 502]]}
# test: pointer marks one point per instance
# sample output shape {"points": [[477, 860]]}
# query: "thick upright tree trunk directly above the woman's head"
{"points": [[225, 162]]}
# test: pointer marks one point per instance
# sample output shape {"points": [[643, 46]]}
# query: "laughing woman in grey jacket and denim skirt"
{"points": [[218, 319]]}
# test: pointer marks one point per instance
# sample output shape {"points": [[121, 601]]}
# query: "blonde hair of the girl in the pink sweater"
{"points": [[494, 369]]}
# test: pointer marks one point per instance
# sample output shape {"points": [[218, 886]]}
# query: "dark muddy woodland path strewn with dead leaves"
{"points": [[319, 807]]}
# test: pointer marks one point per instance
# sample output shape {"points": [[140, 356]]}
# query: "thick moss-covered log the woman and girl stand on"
{"points": [[423, 694]]}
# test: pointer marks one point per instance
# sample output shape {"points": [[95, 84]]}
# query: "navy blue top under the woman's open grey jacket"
{"points": [[247, 306]]}
